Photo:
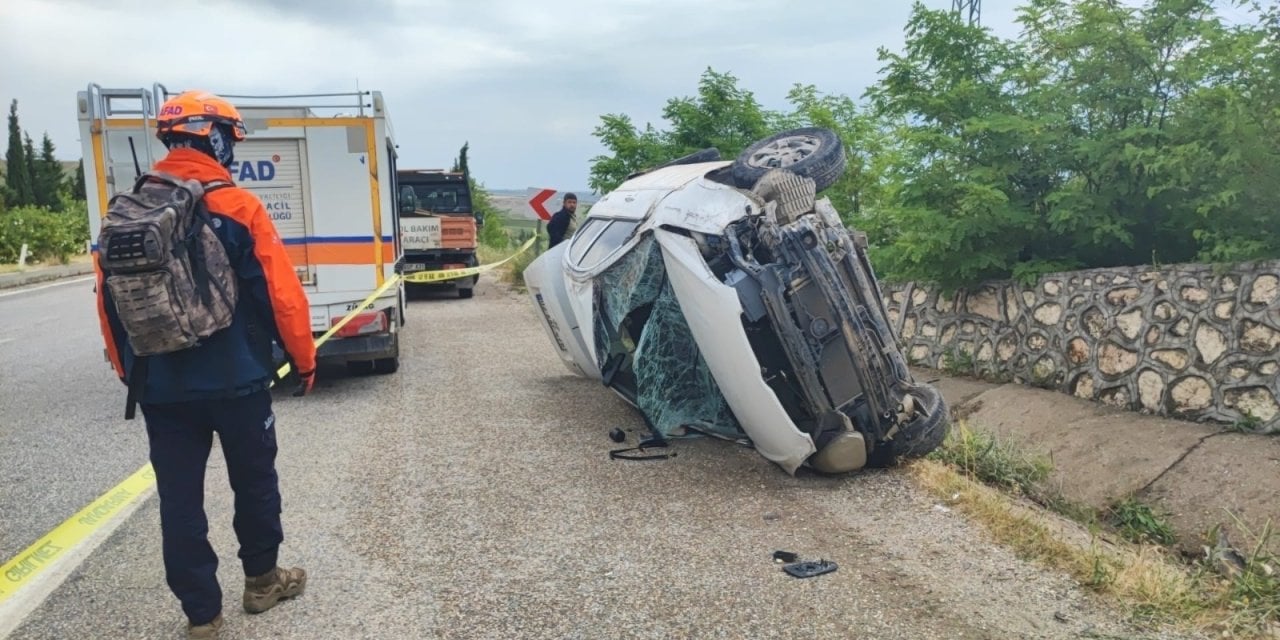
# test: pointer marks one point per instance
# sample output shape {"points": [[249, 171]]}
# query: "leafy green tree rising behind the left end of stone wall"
{"points": [[976, 167]]}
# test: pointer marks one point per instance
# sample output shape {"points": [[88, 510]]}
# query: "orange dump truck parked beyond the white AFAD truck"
{"points": [[437, 226]]}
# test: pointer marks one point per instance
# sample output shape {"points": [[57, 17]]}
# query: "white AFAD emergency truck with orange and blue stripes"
{"points": [[328, 182]]}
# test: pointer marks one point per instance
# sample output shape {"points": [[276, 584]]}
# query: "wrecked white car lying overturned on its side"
{"points": [[726, 299]]}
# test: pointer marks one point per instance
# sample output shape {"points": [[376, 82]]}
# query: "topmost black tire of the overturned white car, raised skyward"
{"points": [[810, 152]]}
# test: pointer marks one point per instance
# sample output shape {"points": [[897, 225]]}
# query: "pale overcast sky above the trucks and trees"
{"points": [[524, 81]]}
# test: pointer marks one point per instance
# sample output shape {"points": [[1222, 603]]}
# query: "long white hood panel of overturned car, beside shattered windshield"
{"points": [[714, 313]]}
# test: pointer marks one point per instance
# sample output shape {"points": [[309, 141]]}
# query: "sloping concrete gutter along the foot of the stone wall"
{"points": [[1199, 474]]}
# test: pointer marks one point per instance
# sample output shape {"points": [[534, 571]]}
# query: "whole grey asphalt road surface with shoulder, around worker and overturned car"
{"points": [[472, 496]]}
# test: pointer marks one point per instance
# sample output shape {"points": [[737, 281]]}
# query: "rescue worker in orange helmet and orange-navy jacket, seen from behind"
{"points": [[223, 385]]}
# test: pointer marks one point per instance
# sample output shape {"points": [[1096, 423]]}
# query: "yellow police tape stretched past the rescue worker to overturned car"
{"points": [[44, 552]]}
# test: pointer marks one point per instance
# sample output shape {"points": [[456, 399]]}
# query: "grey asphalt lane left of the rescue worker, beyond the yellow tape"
{"points": [[63, 436]]}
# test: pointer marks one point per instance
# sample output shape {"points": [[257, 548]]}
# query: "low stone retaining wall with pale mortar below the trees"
{"points": [[1187, 341]]}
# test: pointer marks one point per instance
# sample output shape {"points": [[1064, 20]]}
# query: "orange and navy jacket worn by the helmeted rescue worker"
{"points": [[272, 303]]}
